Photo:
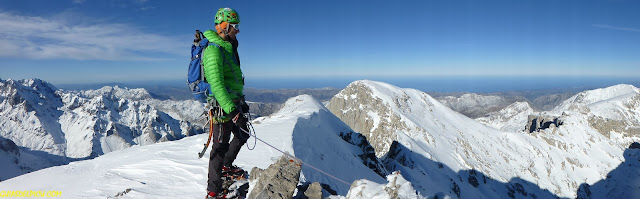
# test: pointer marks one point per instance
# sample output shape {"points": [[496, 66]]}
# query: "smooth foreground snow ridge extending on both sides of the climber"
{"points": [[303, 128]]}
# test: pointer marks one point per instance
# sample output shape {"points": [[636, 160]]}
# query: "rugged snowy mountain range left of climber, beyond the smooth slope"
{"points": [[58, 126]]}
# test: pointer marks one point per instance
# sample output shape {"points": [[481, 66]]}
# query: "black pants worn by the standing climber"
{"points": [[223, 152]]}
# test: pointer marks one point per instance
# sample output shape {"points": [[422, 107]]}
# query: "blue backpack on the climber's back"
{"points": [[198, 85]]}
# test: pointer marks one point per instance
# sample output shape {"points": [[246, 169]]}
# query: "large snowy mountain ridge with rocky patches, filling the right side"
{"points": [[450, 140]]}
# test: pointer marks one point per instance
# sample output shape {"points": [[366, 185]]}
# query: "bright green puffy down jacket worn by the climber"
{"points": [[222, 72]]}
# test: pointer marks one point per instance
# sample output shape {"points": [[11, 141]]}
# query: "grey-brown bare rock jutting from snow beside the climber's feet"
{"points": [[279, 180]]}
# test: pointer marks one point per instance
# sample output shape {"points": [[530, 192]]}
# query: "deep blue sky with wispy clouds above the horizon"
{"points": [[94, 41]]}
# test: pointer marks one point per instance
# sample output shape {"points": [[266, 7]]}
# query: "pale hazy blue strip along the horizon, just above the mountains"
{"points": [[474, 84]]}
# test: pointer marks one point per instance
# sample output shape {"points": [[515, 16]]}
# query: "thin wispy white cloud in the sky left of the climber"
{"points": [[41, 38]]}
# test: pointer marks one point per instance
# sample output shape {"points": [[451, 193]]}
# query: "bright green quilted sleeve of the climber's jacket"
{"points": [[214, 72]]}
